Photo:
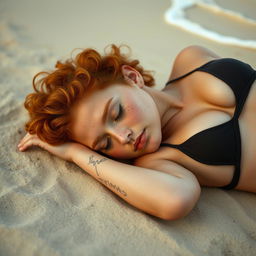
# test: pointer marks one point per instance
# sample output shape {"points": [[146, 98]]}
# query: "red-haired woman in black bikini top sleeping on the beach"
{"points": [[199, 130]]}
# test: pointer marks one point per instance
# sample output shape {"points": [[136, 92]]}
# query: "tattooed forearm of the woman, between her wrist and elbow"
{"points": [[146, 189]]}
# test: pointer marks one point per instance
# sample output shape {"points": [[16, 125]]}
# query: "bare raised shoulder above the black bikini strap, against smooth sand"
{"points": [[190, 58]]}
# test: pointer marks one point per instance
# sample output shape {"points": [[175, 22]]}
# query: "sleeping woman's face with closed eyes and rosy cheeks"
{"points": [[120, 120]]}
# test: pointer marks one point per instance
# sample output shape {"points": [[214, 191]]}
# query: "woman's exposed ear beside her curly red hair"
{"points": [[132, 76]]}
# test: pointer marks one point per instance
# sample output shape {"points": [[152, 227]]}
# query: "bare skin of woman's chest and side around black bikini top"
{"points": [[209, 102]]}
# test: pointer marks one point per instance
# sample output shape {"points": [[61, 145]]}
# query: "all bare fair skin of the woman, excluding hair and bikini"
{"points": [[163, 181]]}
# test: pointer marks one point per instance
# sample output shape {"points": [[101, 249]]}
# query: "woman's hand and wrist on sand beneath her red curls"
{"points": [[64, 151]]}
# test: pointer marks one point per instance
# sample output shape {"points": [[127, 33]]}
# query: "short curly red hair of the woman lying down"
{"points": [[57, 91]]}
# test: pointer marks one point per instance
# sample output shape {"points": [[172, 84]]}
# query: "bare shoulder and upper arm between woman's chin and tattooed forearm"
{"points": [[160, 161]]}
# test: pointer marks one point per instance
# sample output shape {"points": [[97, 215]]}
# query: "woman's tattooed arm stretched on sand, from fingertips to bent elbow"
{"points": [[157, 193]]}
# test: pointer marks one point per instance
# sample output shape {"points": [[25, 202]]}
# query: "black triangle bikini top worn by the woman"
{"points": [[221, 144]]}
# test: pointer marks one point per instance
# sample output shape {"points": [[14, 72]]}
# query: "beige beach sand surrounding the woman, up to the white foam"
{"points": [[51, 207]]}
